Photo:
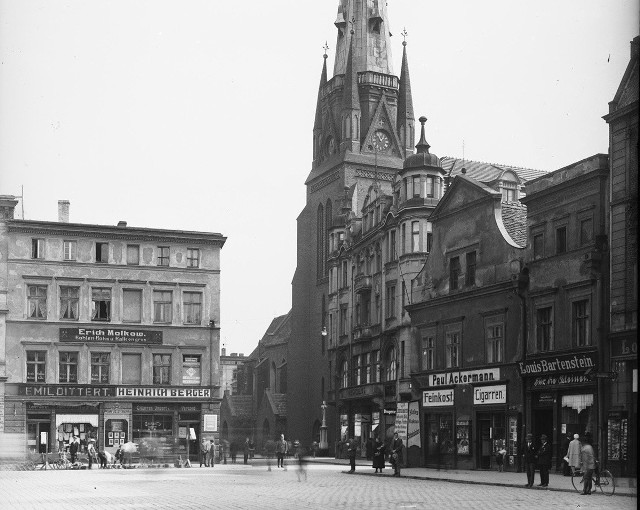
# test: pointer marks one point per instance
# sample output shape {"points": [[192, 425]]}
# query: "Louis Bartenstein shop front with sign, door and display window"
{"points": [[561, 399]]}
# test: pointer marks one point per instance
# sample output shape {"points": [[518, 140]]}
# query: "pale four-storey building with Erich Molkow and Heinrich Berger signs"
{"points": [[108, 332]]}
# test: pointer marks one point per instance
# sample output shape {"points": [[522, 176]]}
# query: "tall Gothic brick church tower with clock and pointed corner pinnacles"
{"points": [[364, 128]]}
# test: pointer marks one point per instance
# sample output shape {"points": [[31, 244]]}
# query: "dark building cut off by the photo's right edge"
{"points": [[622, 394]]}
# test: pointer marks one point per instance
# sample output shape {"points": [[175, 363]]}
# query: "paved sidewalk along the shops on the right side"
{"points": [[557, 482]]}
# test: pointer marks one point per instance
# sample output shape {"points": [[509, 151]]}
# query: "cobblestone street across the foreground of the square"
{"points": [[253, 487]]}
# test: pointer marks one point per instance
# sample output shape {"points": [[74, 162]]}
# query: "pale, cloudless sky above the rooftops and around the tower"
{"points": [[198, 114]]}
